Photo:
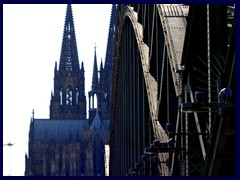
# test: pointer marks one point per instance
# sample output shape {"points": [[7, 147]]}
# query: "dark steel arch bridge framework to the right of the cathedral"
{"points": [[160, 61]]}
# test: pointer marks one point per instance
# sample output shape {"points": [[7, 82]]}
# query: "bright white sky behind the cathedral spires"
{"points": [[32, 39]]}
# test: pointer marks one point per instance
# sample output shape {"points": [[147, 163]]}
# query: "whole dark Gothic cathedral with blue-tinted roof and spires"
{"points": [[69, 144]]}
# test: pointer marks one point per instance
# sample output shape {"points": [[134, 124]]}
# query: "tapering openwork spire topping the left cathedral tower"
{"points": [[69, 53]]}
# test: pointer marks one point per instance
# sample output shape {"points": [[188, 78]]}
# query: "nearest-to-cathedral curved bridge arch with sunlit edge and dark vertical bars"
{"points": [[136, 89]]}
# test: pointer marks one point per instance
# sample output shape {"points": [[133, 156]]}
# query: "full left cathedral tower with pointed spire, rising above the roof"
{"points": [[68, 101]]}
